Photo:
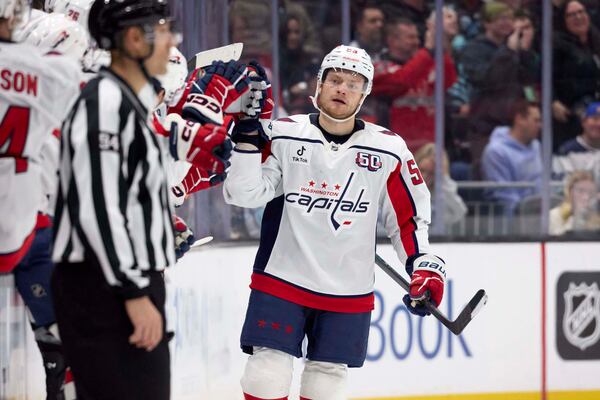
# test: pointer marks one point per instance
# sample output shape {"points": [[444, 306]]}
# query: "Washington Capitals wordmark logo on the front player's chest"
{"points": [[333, 199]]}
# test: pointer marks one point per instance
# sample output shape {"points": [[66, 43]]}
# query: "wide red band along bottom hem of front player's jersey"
{"points": [[303, 297]]}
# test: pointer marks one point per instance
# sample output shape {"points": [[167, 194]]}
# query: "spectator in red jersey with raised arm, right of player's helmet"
{"points": [[406, 77]]}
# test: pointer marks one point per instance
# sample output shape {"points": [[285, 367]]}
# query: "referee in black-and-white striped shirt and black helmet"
{"points": [[114, 233]]}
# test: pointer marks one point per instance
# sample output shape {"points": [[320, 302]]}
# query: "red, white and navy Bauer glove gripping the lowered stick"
{"points": [[428, 275]]}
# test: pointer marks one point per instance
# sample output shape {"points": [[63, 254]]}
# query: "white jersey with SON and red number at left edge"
{"points": [[36, 92]]}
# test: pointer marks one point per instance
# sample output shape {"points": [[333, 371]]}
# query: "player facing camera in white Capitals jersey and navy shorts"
{"points": [[328, 176]]}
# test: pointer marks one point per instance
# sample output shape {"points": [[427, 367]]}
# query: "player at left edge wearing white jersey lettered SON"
{"points": [[36, 90]]}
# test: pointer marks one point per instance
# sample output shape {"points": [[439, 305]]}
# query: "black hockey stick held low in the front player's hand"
{"points": [[465, 316]]}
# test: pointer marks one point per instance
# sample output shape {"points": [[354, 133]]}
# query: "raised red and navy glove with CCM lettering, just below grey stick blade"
{"points": [[225, 83]]}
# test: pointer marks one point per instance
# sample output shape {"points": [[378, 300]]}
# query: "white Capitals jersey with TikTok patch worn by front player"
{"points": [[317, 245]]}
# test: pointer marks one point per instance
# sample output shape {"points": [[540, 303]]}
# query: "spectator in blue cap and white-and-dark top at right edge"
{"points": [[583, 152]]}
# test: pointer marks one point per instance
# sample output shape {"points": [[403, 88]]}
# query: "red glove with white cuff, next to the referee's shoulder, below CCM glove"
{"points": [[205, 146]]}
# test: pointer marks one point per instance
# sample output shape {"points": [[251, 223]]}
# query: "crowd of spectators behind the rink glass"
{"points": [[492, 77]]}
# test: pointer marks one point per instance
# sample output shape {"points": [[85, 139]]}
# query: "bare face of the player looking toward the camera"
{"points": [[341, 93]]}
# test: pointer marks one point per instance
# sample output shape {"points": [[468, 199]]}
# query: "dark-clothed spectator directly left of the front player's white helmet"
{"points": [[296, 64]]}
